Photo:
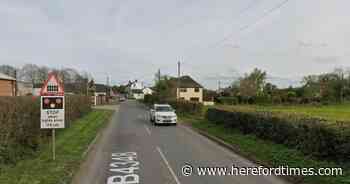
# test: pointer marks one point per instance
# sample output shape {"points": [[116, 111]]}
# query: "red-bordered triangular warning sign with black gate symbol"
{"points": [[52, 86]]}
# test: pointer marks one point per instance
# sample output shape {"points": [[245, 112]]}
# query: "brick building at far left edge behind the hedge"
{"points": [[7, 85]]}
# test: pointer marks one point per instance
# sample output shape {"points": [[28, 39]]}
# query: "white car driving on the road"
{"points": [[163, 114]]}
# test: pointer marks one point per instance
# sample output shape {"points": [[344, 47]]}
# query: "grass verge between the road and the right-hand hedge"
{"points": [[269, 153]]}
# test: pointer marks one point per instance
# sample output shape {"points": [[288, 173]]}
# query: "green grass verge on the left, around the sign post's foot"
{"points": [[70, 145]]}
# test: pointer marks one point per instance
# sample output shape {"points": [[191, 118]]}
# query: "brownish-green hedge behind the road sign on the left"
{"points": [[20, 133]]}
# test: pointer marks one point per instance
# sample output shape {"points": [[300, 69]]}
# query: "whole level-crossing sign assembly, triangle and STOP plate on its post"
{"points": [[52, 108]]}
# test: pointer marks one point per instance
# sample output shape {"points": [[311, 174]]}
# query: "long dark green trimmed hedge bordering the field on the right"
{"points": [[310, 135]]}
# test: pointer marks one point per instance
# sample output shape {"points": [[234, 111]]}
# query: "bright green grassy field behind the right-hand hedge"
{"points": [[340, 112]]}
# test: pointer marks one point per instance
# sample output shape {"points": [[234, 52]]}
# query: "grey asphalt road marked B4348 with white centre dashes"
{"points": [[131, 150]]}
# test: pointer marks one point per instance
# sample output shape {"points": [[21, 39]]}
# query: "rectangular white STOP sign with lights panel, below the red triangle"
{"points": [[52, 112]]}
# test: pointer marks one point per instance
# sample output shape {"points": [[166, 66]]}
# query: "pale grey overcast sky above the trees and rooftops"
{"points": [[214, 40]]}
